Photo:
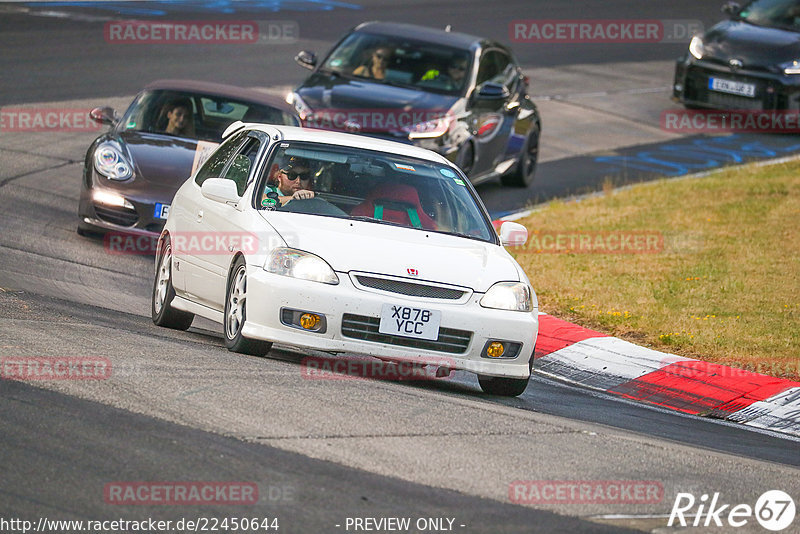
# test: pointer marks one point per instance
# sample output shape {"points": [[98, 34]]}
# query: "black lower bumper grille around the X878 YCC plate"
{"points": [[366, 329]]}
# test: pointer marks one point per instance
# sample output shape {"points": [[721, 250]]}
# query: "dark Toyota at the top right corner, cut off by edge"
{"points": [[750, 62]]}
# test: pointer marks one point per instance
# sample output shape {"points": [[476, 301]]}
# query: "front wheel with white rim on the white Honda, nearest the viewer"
{"points": [[235, 318]]}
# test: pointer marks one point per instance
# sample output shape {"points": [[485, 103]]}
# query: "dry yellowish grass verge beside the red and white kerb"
{"points": [[710, 267]]}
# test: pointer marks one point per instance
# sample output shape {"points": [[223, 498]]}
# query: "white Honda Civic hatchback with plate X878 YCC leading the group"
{"points": [[346, 244]]}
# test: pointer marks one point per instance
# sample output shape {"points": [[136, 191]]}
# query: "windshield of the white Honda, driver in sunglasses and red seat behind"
{"points": [[377, 187]]}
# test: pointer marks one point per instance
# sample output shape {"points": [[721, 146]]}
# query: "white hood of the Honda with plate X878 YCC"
{"points": [[379, 248]]}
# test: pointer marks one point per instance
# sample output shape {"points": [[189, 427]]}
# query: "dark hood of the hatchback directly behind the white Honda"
{"points": [[328, 92]]}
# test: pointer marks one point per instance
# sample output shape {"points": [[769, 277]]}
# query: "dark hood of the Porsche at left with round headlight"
{"points": [[161, 163]]}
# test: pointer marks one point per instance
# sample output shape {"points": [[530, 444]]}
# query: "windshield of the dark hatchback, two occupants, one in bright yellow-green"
{"points": [[402, 62]]}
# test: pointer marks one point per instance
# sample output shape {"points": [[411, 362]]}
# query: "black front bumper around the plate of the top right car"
{"points": [[773, 91]]}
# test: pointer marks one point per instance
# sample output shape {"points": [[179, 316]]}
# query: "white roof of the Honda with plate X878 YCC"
{"points": [[294, 133]]}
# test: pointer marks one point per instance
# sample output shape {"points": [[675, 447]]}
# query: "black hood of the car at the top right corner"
{"points": [[755, 46]]}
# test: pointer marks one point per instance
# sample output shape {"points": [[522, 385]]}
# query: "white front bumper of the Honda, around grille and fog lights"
{"points": [[268, 293]]}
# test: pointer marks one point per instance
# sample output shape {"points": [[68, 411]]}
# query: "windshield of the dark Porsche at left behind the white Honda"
{"points": [[195, 115]]}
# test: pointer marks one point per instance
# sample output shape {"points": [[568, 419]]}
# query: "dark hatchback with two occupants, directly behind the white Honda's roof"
{"points": [[461, 96]]}
